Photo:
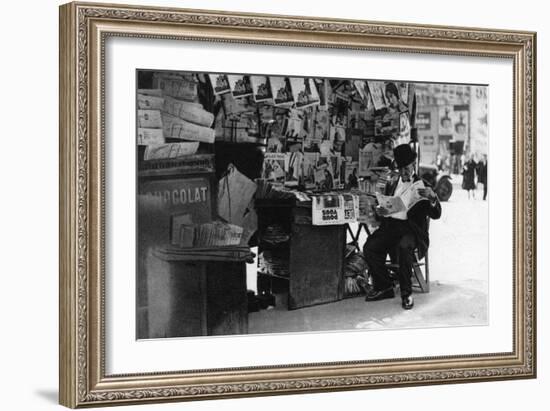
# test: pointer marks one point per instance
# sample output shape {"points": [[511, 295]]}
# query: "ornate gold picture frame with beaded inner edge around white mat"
{"points": [[84, 30]]}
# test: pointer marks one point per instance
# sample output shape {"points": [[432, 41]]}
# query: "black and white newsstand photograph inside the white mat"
{"points": [[229, 233]]}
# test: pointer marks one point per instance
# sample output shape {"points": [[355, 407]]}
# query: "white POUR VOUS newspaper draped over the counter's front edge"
{"points": [[334, 209]]}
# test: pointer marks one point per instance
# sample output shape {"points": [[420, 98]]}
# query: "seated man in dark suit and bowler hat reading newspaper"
{"points": [[404, 212]]}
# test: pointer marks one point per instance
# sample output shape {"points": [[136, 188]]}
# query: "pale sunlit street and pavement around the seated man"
{"points": [[458, 279]]}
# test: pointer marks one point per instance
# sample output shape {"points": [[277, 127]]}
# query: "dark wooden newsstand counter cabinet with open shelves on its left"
{"points": [[315, 254]]}
